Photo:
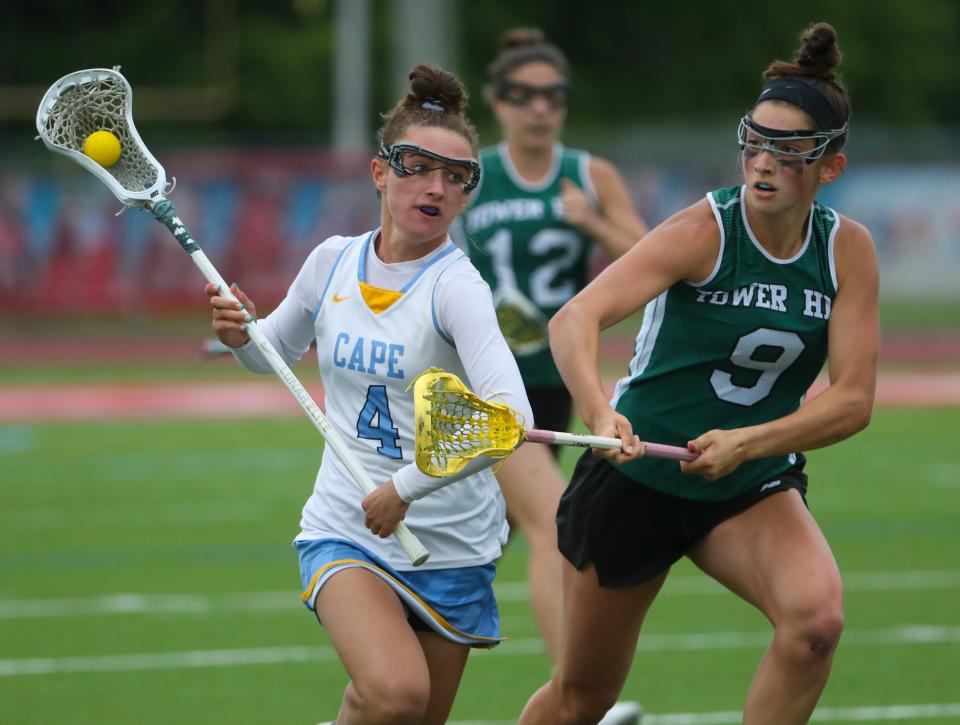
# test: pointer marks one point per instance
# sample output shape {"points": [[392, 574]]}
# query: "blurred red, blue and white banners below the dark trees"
{"points": [[258, 215]]}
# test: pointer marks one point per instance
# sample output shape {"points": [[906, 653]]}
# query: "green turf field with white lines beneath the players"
{"points": [[147, 577]]}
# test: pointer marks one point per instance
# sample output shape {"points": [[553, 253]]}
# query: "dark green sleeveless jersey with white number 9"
{"points": [[738, 349]]}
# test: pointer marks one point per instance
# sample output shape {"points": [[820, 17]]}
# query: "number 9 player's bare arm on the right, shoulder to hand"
{"points": [[845, 406]]}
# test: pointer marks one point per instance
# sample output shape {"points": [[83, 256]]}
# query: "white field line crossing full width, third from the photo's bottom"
{"points": [[191, 604]]}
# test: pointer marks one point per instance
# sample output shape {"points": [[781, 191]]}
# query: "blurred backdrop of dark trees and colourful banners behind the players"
{"points": [[261, 111]]}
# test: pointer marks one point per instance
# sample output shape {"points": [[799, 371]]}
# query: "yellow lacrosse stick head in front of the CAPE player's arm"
{"points": [[455, 425]]}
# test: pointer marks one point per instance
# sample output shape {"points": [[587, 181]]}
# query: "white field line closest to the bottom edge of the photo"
{"points": [[903, 713]]}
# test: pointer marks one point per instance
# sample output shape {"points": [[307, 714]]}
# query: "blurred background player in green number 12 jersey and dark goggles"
{"points": [[530, 229]]}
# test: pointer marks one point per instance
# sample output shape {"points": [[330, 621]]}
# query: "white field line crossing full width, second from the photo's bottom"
{"points": [[909, 635]]}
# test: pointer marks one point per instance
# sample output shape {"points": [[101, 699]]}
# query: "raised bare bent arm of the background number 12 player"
{"points": [[614, 223]]}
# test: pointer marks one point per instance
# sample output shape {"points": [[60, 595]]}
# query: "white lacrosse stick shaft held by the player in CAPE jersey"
{"points": [[164, 211]]}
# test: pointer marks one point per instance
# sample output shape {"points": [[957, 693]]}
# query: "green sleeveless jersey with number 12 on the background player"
{"points": [[516, 236]]}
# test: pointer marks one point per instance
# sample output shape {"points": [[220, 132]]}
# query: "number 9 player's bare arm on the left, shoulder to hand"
{"points": [[684, 247]]}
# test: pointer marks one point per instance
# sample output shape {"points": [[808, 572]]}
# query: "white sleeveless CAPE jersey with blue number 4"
{"points": [[367, 359]]}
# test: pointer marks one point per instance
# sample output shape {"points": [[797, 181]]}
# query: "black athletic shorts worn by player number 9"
{"points": [[631, 532]]}
